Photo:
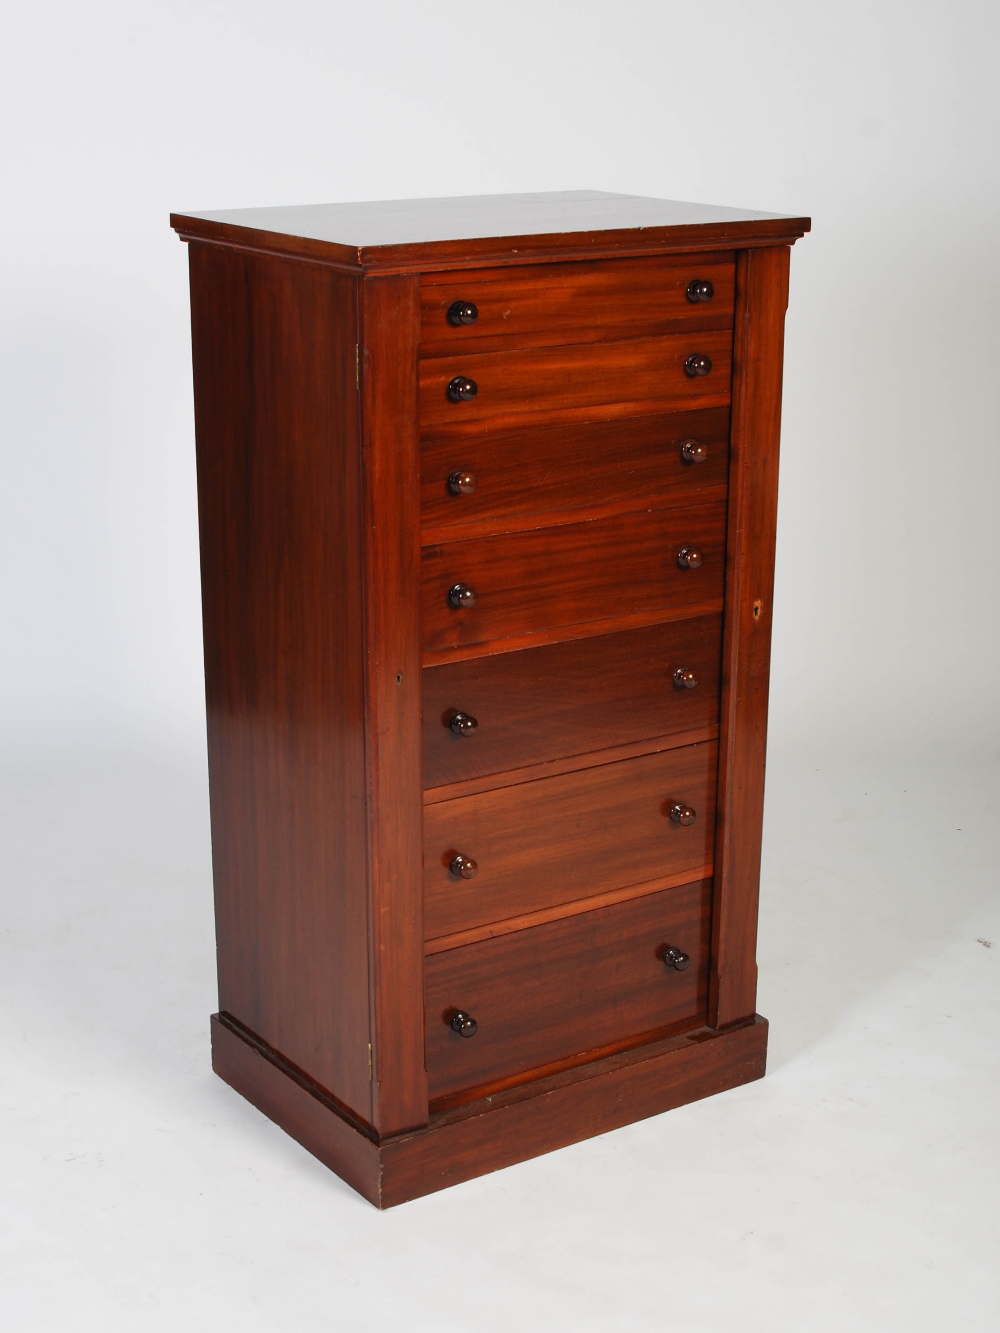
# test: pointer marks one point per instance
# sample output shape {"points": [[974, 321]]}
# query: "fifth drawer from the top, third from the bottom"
{"points": [[571, 698]]}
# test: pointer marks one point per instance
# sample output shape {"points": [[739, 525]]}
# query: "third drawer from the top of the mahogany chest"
{"points": [[545, 471]]}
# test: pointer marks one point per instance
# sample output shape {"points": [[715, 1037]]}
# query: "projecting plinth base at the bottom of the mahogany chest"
{"points": [[506, 1128]]}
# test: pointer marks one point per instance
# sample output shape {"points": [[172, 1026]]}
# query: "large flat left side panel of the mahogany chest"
{"points": [[281, 519]]}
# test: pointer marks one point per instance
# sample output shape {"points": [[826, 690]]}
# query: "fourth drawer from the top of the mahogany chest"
{"points": [[577, 574]]}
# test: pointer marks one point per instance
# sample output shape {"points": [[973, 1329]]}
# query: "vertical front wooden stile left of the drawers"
{"points": [[390, 323]]}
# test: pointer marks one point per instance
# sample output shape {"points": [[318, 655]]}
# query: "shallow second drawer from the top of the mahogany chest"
{"points": [[578, 383]]}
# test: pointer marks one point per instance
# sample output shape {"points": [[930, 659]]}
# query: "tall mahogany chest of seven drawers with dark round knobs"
{"points": [[487, 498]]}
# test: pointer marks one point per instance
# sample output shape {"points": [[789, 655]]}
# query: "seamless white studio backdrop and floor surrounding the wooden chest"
{"points": [[849, 1188]]}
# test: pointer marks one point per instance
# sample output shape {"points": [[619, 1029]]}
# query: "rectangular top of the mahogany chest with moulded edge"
{"points": [[482, 230]]}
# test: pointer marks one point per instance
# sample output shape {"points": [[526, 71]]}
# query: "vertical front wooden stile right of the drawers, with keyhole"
{"points": [[762, 301]]}
